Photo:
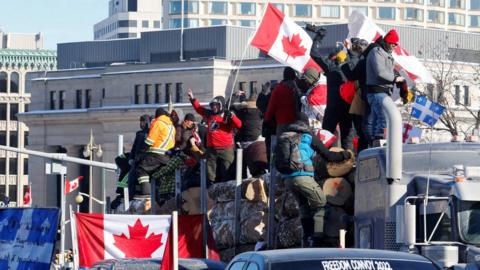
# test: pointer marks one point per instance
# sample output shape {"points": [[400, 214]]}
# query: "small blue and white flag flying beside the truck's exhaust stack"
{"points": [[426, 110]]}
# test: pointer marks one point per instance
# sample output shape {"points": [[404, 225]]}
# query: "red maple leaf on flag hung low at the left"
{"points": [[138, 245]]}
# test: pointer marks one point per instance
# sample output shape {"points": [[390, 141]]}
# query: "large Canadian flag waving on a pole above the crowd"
{"points": [[284, 40]]}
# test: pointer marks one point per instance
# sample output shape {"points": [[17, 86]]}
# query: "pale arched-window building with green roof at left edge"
{"points": [[19, 54]]}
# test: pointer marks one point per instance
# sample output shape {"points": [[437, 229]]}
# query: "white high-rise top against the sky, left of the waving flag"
{"points": [[128, 18]]}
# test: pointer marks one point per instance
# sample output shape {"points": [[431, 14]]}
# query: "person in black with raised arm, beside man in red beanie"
{"points": [[336, 112]]}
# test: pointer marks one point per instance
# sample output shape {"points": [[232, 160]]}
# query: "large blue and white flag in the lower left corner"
{"points": [[27, 237]]}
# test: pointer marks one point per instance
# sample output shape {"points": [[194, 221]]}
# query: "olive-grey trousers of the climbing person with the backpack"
{"points": [[311, 200]]}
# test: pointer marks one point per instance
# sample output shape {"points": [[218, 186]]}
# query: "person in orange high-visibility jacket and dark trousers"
{"points": [[160, 139]]}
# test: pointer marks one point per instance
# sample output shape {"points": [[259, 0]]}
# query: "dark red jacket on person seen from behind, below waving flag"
{"points": [[281, 107]]}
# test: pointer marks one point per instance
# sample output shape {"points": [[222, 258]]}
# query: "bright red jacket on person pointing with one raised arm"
{"points": [[219, 134]]}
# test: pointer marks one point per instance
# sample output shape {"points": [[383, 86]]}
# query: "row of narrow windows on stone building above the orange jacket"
{"points": [[158, 93]]}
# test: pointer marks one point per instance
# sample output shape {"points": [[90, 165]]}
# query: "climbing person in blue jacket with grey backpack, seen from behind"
{"points": [[301, 182]]}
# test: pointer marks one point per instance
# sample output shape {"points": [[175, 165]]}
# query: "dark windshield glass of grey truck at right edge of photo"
{"points": [[469, 221]]}
